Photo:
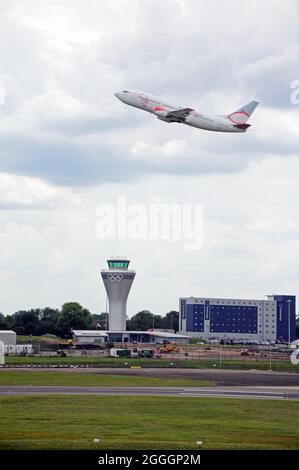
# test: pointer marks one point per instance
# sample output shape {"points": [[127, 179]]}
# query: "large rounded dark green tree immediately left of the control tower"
{"points": [[73, 316]]}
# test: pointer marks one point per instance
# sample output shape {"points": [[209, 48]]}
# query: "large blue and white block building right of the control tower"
{"points": [[273, 319]]}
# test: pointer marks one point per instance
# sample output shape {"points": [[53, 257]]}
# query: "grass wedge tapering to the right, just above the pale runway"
{"points": [[93, 380]]}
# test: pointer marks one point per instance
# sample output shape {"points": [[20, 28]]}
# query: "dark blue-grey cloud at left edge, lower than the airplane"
{"points": [[63, 164]]}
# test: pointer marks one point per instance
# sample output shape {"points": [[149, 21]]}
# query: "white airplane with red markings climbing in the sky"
{"points": [[233, 122]]}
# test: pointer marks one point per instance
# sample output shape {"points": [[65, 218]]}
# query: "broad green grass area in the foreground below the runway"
{"points": [[72, 422]]}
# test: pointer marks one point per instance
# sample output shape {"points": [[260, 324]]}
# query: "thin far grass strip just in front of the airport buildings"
{"points": [[283, 366]]}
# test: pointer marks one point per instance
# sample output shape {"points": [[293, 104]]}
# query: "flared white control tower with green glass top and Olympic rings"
{"points": [[117, 281]]}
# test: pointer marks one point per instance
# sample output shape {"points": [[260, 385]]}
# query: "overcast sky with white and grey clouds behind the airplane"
{"points": [[68, 147]]}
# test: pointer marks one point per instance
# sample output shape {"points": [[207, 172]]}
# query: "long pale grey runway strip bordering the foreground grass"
{"points": [[261, 393]]}
